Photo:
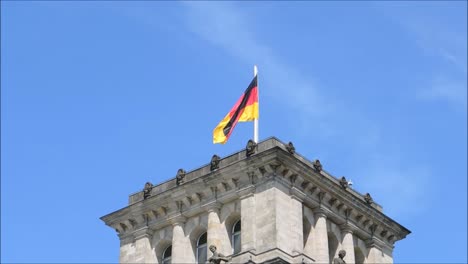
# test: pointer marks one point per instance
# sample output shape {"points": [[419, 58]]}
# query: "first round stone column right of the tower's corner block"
{"points": [[321, 237]]}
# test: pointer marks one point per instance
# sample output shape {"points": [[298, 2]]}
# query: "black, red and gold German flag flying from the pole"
{"points": [[245, 109]]}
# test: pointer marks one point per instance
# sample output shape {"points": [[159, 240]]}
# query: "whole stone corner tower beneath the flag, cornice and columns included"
{"points": [[265, 204]]}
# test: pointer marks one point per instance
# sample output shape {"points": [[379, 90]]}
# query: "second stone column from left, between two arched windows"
{"points": [[181, 247]]}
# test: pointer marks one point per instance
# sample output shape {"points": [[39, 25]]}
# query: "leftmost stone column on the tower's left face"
{"points": [[144, 250]]}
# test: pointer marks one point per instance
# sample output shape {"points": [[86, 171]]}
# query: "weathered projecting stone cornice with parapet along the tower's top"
{"points": [[239, 177]]}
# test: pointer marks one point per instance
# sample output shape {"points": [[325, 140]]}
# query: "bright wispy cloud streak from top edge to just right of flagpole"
{"points": [[223, 25]]}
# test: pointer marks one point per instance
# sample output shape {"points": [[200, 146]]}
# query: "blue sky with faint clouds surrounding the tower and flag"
{"points": [[99, 97]]}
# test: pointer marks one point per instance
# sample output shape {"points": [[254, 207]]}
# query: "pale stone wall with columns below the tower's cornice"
{"points": [[272, 225]]}
